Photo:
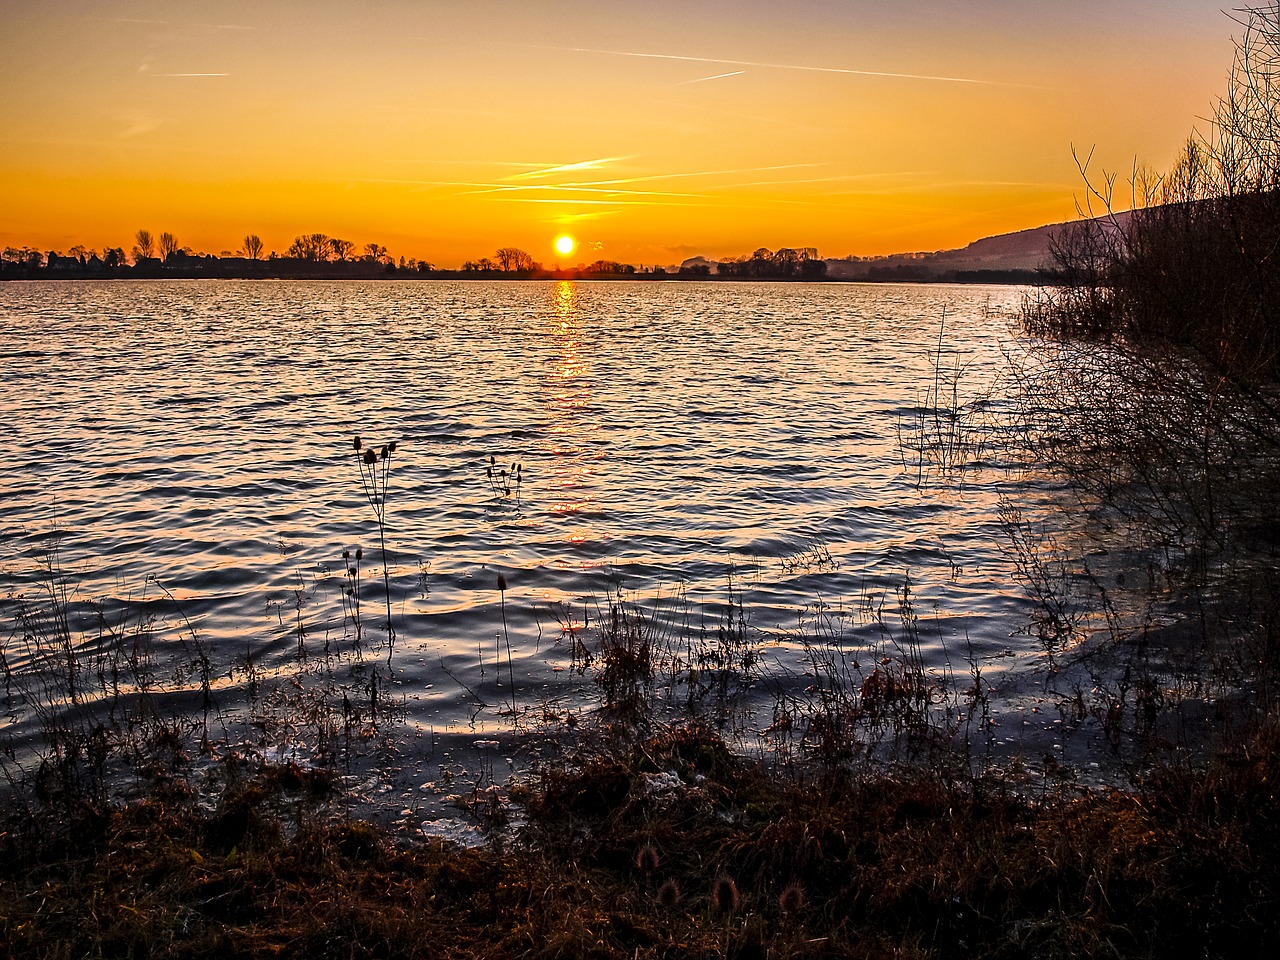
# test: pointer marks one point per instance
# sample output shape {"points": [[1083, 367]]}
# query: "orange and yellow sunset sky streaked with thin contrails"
{"points": [[650, 132]]}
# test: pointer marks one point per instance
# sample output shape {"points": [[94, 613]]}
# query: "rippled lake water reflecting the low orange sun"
{"points": [[682, 445]]}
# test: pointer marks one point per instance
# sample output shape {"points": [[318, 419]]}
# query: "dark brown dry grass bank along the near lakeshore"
{"points": [[674, 849]]}
